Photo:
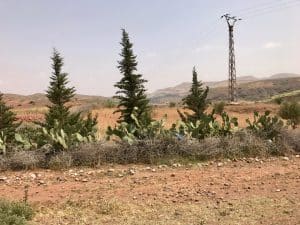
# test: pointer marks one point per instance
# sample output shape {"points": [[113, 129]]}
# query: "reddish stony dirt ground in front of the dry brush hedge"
{"points": [[249, 191]]}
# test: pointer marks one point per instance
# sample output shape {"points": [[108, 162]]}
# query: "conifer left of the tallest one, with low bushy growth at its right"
{"points": [[59, 115]]}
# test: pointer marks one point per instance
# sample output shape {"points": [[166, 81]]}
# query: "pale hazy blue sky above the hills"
{"points": [[169, 36]]}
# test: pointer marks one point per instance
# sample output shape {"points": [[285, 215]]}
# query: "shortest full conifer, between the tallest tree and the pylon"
{"points": [[195, 101]]}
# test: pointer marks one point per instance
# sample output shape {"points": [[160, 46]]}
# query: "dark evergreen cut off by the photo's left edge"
{"points": [[8, 124]]}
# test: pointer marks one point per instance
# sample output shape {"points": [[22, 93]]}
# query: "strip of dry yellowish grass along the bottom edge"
{"points": [[245, 211]]}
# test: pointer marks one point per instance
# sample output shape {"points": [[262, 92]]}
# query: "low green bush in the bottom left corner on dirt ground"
{"points": [[15, 213]]}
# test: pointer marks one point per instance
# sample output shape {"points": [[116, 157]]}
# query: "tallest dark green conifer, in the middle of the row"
{"points": [[132, 93]]}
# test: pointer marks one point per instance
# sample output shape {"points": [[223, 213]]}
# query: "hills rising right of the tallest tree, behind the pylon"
{"points": [[249, 89]]}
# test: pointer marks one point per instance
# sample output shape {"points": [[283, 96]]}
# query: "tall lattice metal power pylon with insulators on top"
{"points": [[231, 20]]}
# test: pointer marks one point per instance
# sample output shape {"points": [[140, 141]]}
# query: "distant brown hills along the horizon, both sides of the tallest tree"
{"points": [[250, 88]]}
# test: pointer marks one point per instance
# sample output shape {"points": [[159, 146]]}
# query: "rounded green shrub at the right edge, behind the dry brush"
{"points": [[291, 112]]}
